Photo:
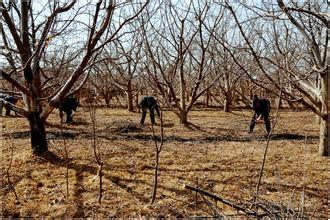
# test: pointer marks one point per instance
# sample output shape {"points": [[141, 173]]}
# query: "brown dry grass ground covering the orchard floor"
{"points": [[215, 150]]}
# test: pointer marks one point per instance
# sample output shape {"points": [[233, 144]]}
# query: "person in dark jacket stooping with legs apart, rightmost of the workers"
{"points": [[261, 109]]}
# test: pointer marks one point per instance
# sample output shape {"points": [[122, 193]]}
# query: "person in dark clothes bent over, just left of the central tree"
{"points": [[149, 103]]}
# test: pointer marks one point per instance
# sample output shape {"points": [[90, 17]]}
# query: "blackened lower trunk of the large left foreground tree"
{"points": [[38, 134]]}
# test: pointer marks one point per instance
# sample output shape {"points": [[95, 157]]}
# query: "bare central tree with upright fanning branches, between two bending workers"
{"points": [[177, 54]]}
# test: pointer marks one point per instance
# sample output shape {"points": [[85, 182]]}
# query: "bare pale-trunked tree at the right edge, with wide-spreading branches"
{"points": [[294, 59]]}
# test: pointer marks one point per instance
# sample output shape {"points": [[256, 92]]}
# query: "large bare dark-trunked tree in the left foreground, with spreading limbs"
{"points": [[30, 42]]}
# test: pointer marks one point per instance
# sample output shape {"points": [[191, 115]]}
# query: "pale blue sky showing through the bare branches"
{"points": [[78, 32]]}
